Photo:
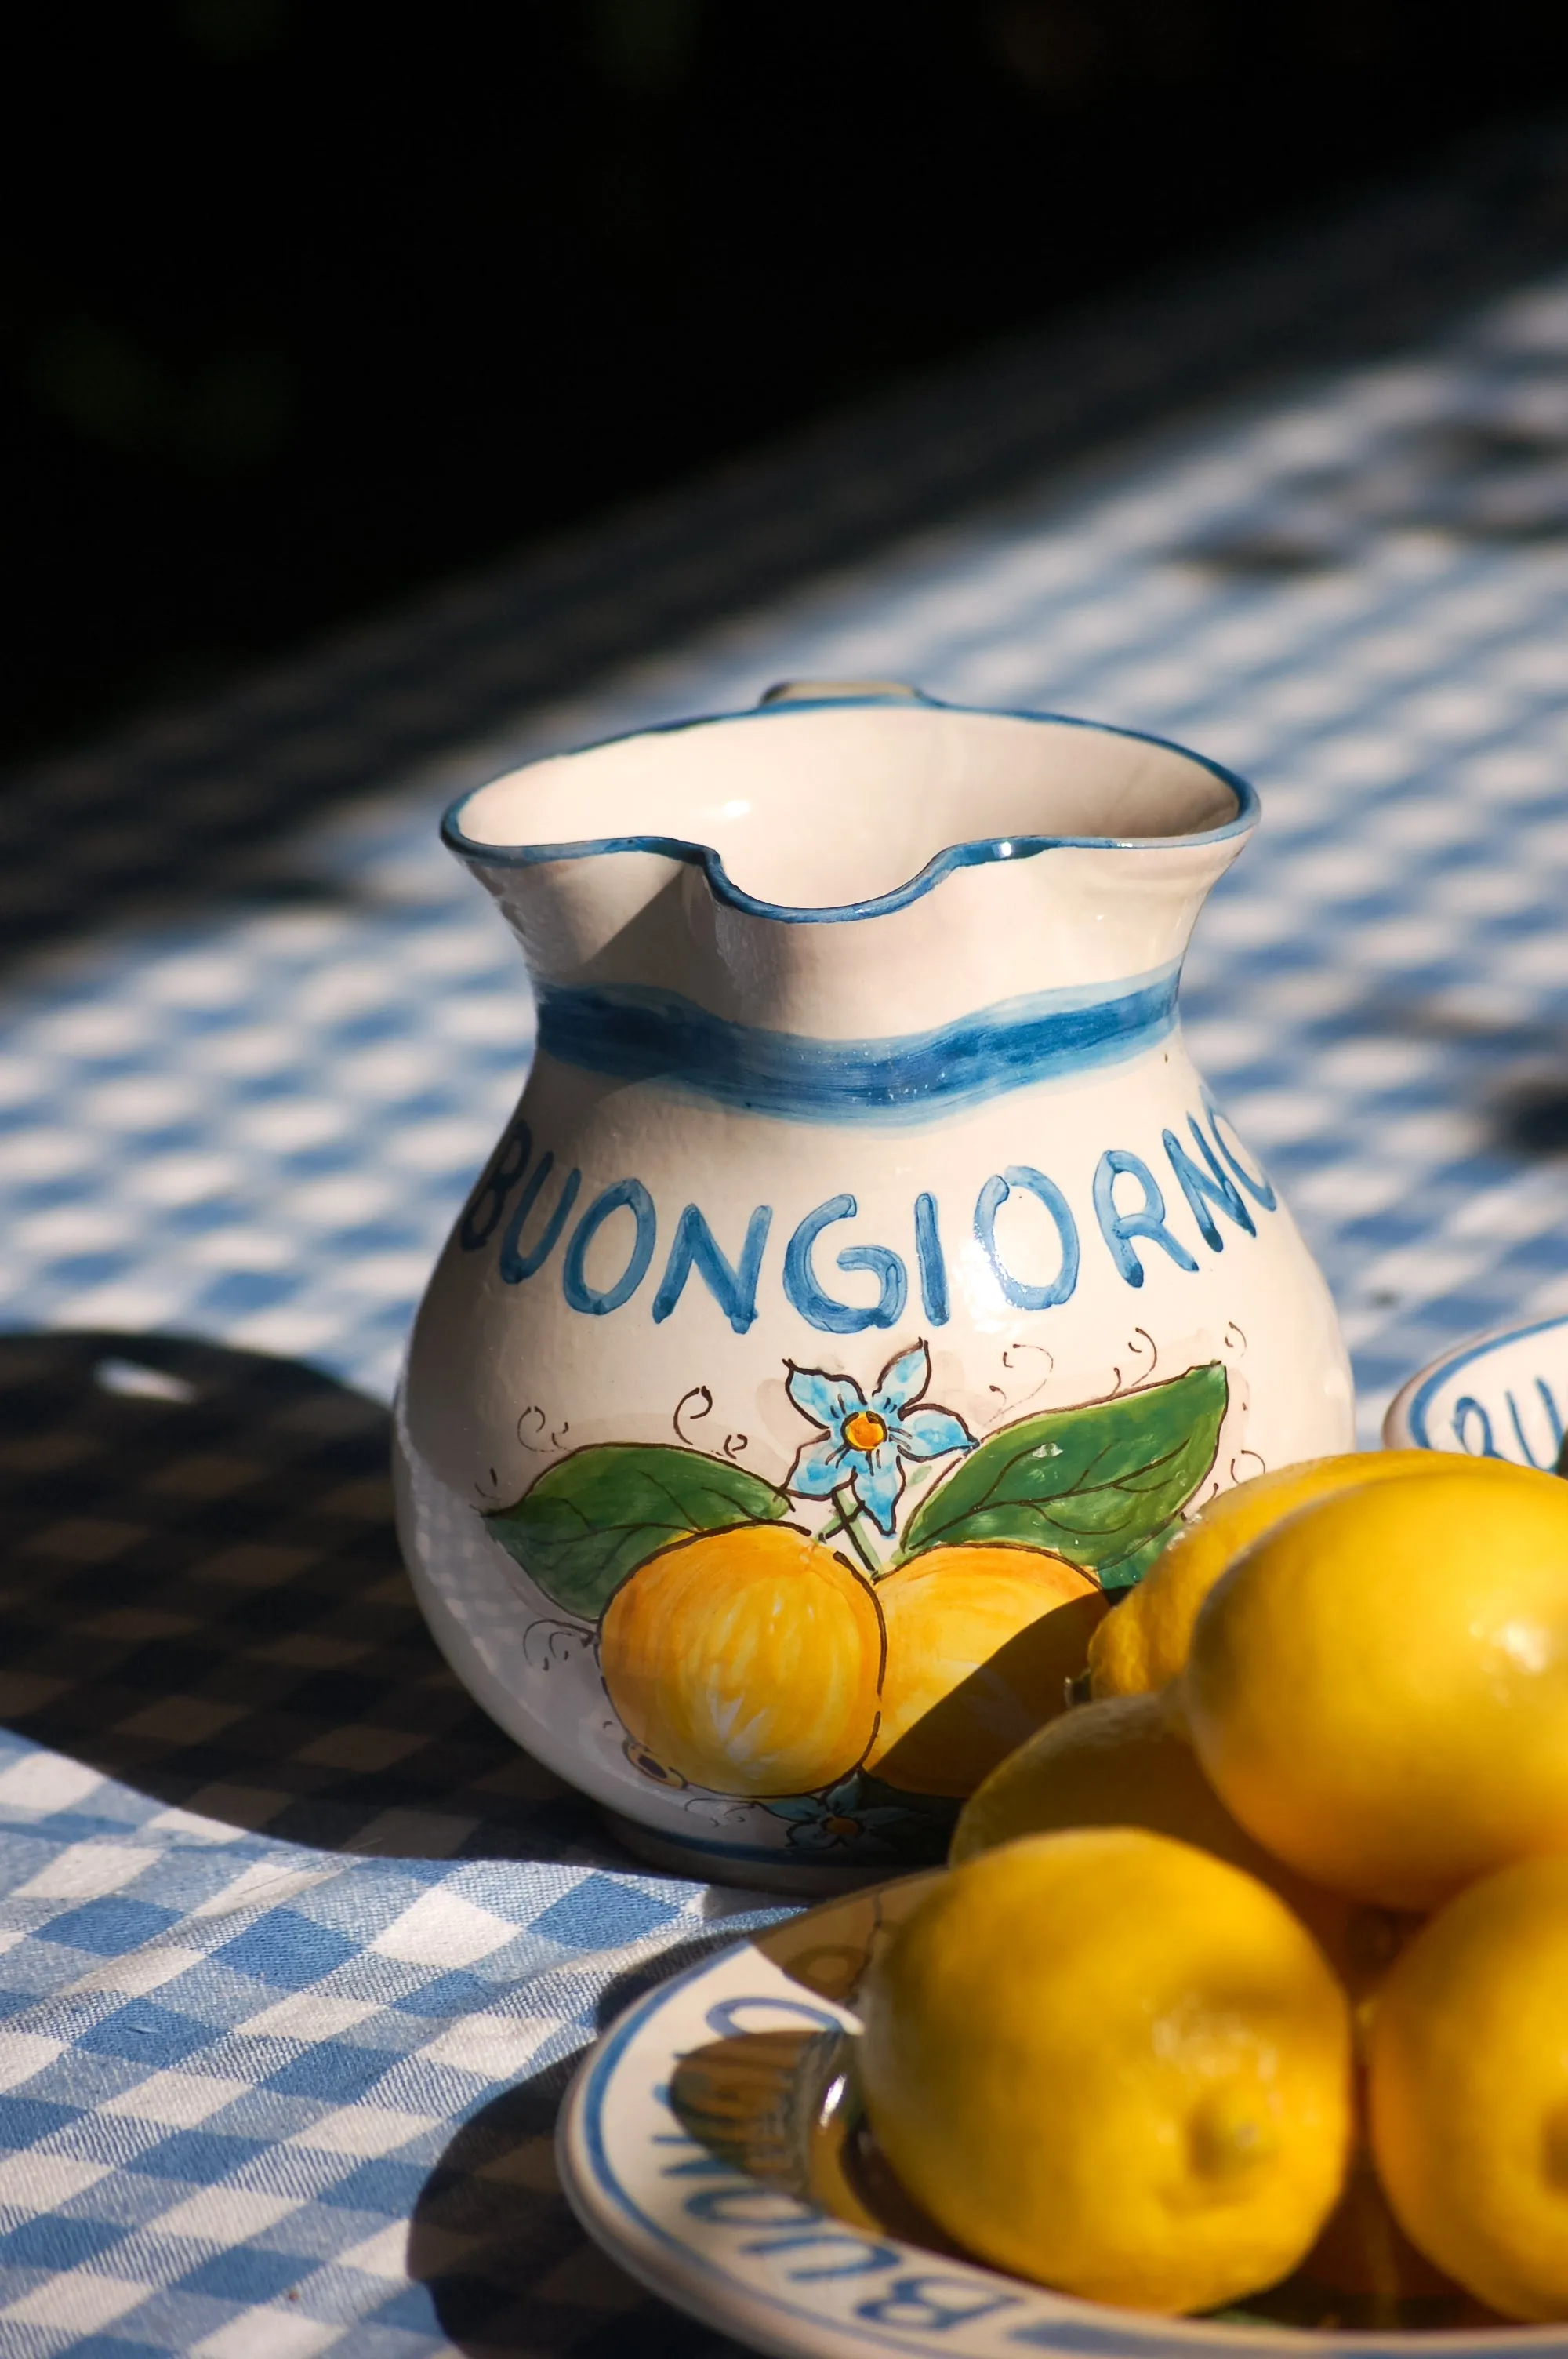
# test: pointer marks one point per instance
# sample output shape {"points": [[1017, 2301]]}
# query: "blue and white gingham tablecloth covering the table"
{"points": [[296, 1950]]}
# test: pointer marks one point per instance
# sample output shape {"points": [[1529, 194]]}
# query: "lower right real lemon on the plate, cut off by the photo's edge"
{"points": [[1470, 2089]]}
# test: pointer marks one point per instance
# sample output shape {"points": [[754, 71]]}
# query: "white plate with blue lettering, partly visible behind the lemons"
{"points": [[1501, 1395]]}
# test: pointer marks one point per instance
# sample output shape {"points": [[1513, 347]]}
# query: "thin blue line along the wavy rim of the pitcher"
{"points": [[973, 855]]}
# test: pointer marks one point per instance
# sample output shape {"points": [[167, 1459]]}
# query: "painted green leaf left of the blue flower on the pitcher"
{"points": [[600, 1513]]}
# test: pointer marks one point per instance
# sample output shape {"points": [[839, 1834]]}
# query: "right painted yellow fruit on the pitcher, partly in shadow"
{"points": [[980, 1650]]}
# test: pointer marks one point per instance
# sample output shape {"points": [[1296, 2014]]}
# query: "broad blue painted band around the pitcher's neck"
{"points": [[638, 1034]]}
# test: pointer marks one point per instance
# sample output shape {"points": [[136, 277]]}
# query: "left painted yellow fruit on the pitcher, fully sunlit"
{"points": [[746, 1660]]}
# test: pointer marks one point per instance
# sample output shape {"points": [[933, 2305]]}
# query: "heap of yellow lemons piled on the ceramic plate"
{"points": [[1289, 1898]]}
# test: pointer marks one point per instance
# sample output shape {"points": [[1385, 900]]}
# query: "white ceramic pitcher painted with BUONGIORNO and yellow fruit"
{"points": [[864, 1268]]}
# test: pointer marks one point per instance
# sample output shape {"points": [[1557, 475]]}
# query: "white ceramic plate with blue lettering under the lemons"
{"points": [[711, 2143]]}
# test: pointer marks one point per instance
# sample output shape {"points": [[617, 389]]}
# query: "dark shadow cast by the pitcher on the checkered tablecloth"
{"points": [[204, 1598]]}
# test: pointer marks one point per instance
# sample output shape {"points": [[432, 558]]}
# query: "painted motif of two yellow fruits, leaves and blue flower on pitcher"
{"points": [[857, 1648]]}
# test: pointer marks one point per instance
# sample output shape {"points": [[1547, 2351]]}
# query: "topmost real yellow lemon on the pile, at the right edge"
{"points": [[1381, 1686]]}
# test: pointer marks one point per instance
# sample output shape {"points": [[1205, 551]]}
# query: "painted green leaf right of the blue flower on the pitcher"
{"points": [[1093, 1485]]}
